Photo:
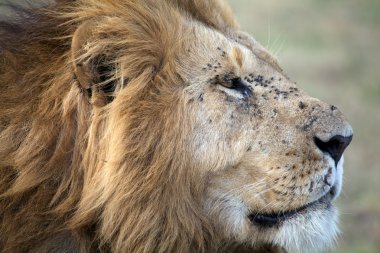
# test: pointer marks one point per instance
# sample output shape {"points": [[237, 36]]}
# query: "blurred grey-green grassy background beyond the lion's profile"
{"points": [[332, 50]]}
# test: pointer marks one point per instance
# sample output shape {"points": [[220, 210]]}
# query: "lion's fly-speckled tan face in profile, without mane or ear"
{"points": [[271, 153]]}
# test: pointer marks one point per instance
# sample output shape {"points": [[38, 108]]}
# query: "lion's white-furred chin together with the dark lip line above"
{"points": [[310, 228]]}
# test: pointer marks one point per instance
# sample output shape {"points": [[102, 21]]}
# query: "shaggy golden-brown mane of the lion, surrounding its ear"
{"points": [[58, 169]]}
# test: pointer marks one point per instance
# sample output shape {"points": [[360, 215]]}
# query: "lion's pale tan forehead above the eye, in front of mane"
{"points": [[211, 50]]}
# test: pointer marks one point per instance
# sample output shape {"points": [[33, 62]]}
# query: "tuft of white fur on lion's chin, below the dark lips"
{"points": [[315, 231]]}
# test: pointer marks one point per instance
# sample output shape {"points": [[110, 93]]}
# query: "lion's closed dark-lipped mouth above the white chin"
{"points": [[272, 219]]}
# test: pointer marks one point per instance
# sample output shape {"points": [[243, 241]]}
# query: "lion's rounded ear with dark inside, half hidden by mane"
{"points": [[93, 71]]}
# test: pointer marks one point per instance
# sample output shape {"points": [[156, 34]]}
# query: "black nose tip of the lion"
{"points": [[335, 146]]}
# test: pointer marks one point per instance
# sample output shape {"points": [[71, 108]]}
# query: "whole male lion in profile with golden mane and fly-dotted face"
{"points": [[158, 126]]}
